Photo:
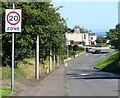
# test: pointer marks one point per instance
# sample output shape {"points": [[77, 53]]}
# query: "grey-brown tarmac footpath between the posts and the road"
{"points": [[52, 85]]}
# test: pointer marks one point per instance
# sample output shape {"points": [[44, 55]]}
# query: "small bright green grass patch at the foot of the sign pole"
{"points": [[6, 91]]}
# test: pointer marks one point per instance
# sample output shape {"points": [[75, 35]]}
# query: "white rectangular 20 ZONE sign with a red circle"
{"points": [[13, 20]]}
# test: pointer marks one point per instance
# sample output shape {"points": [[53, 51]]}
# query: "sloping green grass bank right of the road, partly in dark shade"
{"points": [[111, 63]]}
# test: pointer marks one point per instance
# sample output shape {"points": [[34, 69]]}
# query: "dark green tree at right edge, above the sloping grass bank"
{"points": [[114, 36]]}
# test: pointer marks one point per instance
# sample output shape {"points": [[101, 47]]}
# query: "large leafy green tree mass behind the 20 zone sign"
{"points": [[38, 18]]}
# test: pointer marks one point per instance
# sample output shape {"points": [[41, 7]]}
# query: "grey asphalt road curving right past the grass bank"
{"points": [[83, 80]]}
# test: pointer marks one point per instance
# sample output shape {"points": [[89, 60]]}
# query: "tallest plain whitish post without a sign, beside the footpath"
{"points": [[37, 58]]}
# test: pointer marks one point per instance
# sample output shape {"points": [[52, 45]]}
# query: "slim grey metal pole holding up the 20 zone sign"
{"points": [[12, 70]]}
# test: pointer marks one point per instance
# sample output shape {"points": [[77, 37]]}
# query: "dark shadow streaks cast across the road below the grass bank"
{"points": [[92, 74]]}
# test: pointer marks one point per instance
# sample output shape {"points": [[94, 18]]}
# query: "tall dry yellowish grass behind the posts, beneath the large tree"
{"points": [[26, 69]]}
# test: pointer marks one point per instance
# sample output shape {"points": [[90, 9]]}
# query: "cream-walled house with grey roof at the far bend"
{"points": [[78, 35]]}
